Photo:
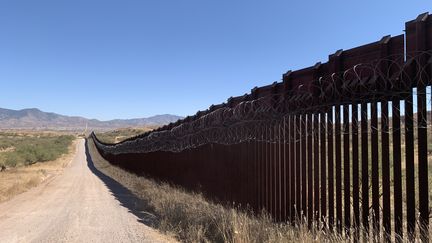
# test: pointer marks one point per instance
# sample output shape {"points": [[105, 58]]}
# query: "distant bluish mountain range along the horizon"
{"points": [[37, 119]]}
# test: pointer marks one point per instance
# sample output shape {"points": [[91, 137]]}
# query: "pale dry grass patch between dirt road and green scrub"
{"points": [[17, 180]]}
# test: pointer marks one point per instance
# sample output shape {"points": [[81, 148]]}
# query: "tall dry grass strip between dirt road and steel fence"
{"points": [[191, 218]]}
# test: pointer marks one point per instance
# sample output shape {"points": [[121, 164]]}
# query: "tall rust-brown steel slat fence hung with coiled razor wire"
{"points": [[331, 144]]}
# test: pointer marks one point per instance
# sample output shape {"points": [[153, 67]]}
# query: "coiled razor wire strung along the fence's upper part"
{"points": [[269, 118]]}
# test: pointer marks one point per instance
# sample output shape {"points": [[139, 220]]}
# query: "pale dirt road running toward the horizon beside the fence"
{"points": [[79, 205]]}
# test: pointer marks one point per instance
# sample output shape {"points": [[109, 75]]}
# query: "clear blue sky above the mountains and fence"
{"points": [[121, 59]]}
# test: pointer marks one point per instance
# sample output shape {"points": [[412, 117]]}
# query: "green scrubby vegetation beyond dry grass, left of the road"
{"points": [[18, 149]]}
